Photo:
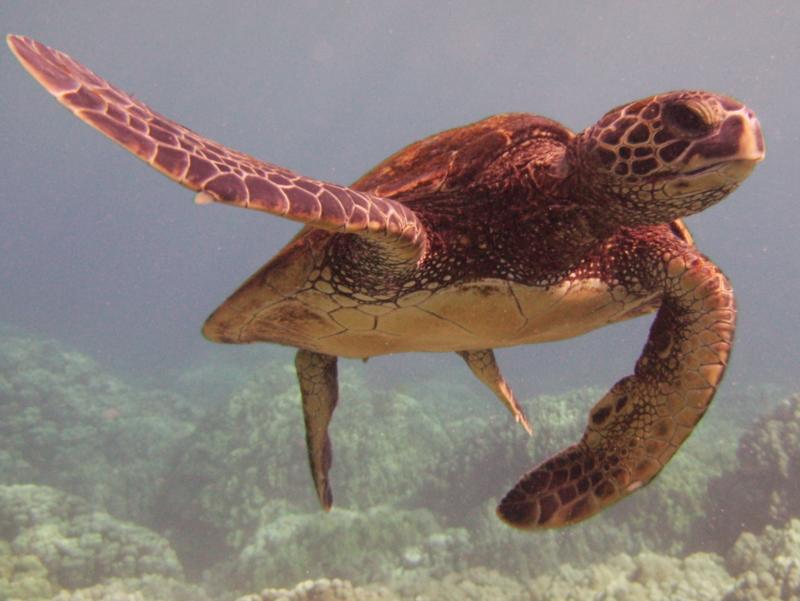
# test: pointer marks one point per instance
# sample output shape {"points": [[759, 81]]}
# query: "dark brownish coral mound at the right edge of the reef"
{"points": [[764, 488]]}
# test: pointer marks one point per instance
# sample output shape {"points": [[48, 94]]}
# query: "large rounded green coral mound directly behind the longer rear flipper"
{"points": [[245, 465]]}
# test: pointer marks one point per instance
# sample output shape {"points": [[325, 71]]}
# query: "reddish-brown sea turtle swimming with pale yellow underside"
{"points": [[508, 231]]}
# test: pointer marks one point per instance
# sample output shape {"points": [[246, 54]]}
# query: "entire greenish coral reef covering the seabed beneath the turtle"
{"points": [[415, 479]]}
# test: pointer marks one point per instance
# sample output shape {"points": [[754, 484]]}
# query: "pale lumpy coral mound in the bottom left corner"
{"points": [[79, 547]]}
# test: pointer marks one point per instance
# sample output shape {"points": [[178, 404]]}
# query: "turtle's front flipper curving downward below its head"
{"points": [[635, 428]]}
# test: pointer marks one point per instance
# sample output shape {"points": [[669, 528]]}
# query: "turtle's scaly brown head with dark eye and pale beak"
{"points": [[668, 156]]}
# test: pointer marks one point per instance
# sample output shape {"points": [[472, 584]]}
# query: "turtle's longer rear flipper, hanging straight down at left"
{"points": [[319, 388]]}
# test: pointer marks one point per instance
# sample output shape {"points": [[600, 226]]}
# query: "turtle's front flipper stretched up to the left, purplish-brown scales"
{"points": [[216, 172]]}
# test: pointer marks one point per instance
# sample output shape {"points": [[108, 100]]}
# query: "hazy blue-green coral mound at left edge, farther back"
{"points": [[65, 423]]}
